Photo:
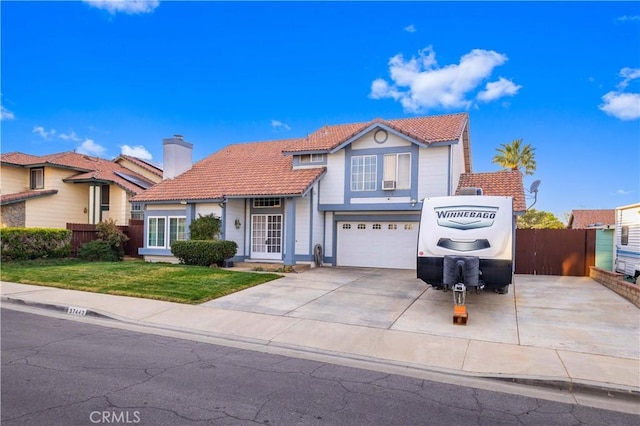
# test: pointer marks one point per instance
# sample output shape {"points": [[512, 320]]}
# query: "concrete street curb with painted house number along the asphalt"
{"points": [[595, 389]]}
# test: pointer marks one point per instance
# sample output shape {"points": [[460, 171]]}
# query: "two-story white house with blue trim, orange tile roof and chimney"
{"points": [[346, 195]]}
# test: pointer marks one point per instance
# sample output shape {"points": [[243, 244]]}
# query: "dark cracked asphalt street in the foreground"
{"points": [[61, 372]]}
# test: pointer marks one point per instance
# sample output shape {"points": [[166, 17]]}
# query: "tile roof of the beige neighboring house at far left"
{"points": [[90, 168]]}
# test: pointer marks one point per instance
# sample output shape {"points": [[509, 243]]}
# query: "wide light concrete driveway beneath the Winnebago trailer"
{"points": [[571, 313]]}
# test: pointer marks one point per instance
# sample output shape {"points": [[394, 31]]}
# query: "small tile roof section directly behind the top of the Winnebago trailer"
{"points": [[505, 183]]}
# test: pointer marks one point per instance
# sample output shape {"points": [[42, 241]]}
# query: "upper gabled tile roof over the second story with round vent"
{"points": [[426, 130]]}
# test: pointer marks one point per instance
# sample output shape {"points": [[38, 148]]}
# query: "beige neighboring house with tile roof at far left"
{"points": [[50, 191]]}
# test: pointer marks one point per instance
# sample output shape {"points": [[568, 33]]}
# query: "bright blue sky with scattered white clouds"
{"points": [[109, 77]]}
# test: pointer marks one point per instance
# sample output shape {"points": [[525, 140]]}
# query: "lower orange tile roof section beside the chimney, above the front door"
{"points": [[240, 170]]}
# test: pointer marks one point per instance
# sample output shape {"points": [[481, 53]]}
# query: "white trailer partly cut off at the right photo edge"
{"points": [[627, 241]]}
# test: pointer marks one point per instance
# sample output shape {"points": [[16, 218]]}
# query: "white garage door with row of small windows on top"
{"points": [[377, 244]]}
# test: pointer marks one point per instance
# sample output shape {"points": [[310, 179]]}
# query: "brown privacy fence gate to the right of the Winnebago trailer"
{"points": [[568, 252]]}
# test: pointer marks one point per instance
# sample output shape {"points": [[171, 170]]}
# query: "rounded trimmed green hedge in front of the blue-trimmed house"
{"points": [[203, 252]]}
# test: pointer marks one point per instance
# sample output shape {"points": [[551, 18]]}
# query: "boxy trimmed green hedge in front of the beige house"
{"points": [[35, 243]]}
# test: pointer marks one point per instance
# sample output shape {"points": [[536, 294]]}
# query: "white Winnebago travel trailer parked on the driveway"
{"points": [[470, 231]]}
